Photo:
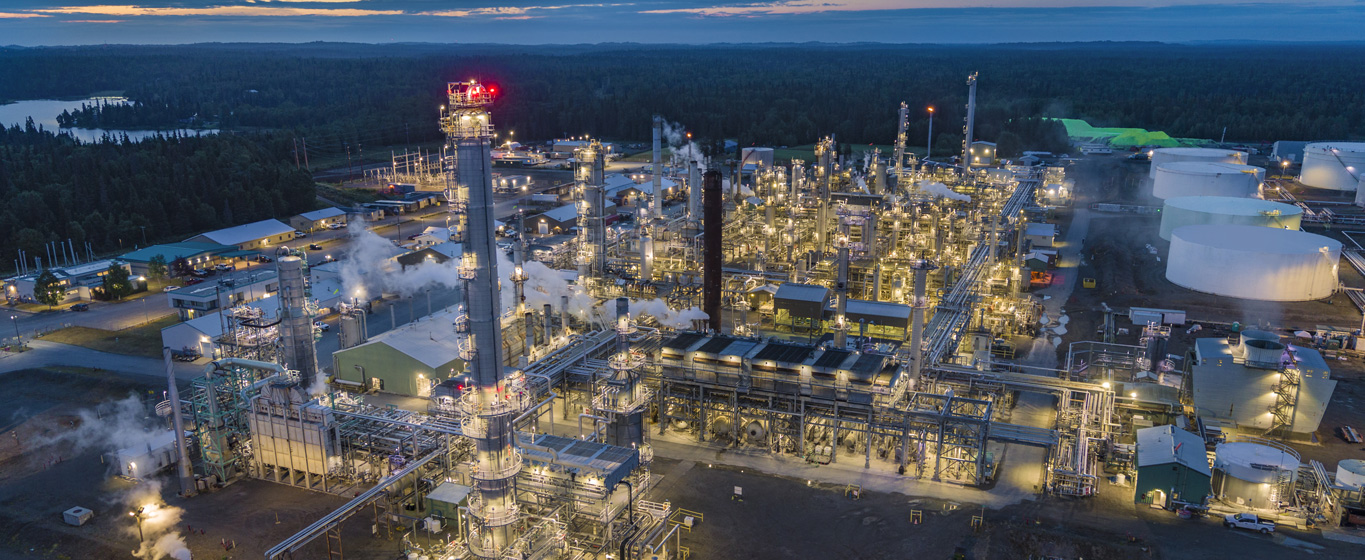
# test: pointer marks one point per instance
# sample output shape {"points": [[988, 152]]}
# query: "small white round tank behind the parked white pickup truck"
{"points": [[1248, 473]]}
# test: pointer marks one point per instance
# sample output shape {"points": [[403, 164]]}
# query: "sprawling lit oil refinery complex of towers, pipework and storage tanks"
{"points": [[926, 326]]}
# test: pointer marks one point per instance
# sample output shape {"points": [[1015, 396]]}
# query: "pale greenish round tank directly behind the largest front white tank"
{"points": [[1194, 211]]}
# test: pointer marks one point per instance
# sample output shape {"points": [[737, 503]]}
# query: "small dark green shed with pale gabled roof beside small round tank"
{"points": [[1172, 466]]}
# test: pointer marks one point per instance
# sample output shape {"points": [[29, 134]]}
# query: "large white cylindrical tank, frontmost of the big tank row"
{"points": [[1252, 263]]}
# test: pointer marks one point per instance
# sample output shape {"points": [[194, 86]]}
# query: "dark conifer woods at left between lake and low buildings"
{"points": [[54, 188]]}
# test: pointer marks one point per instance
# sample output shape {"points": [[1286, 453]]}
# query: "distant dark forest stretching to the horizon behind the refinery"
{"points": [[356, 96]]}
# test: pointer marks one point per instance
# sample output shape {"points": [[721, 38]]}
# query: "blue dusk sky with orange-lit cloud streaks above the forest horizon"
{"points": [[76, 23]]}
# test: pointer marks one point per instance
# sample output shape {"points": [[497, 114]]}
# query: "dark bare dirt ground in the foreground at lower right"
{"points": [[784, 518]]}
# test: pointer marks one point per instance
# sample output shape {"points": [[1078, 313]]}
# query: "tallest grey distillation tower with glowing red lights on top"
{"points": [[488, 406]]}
